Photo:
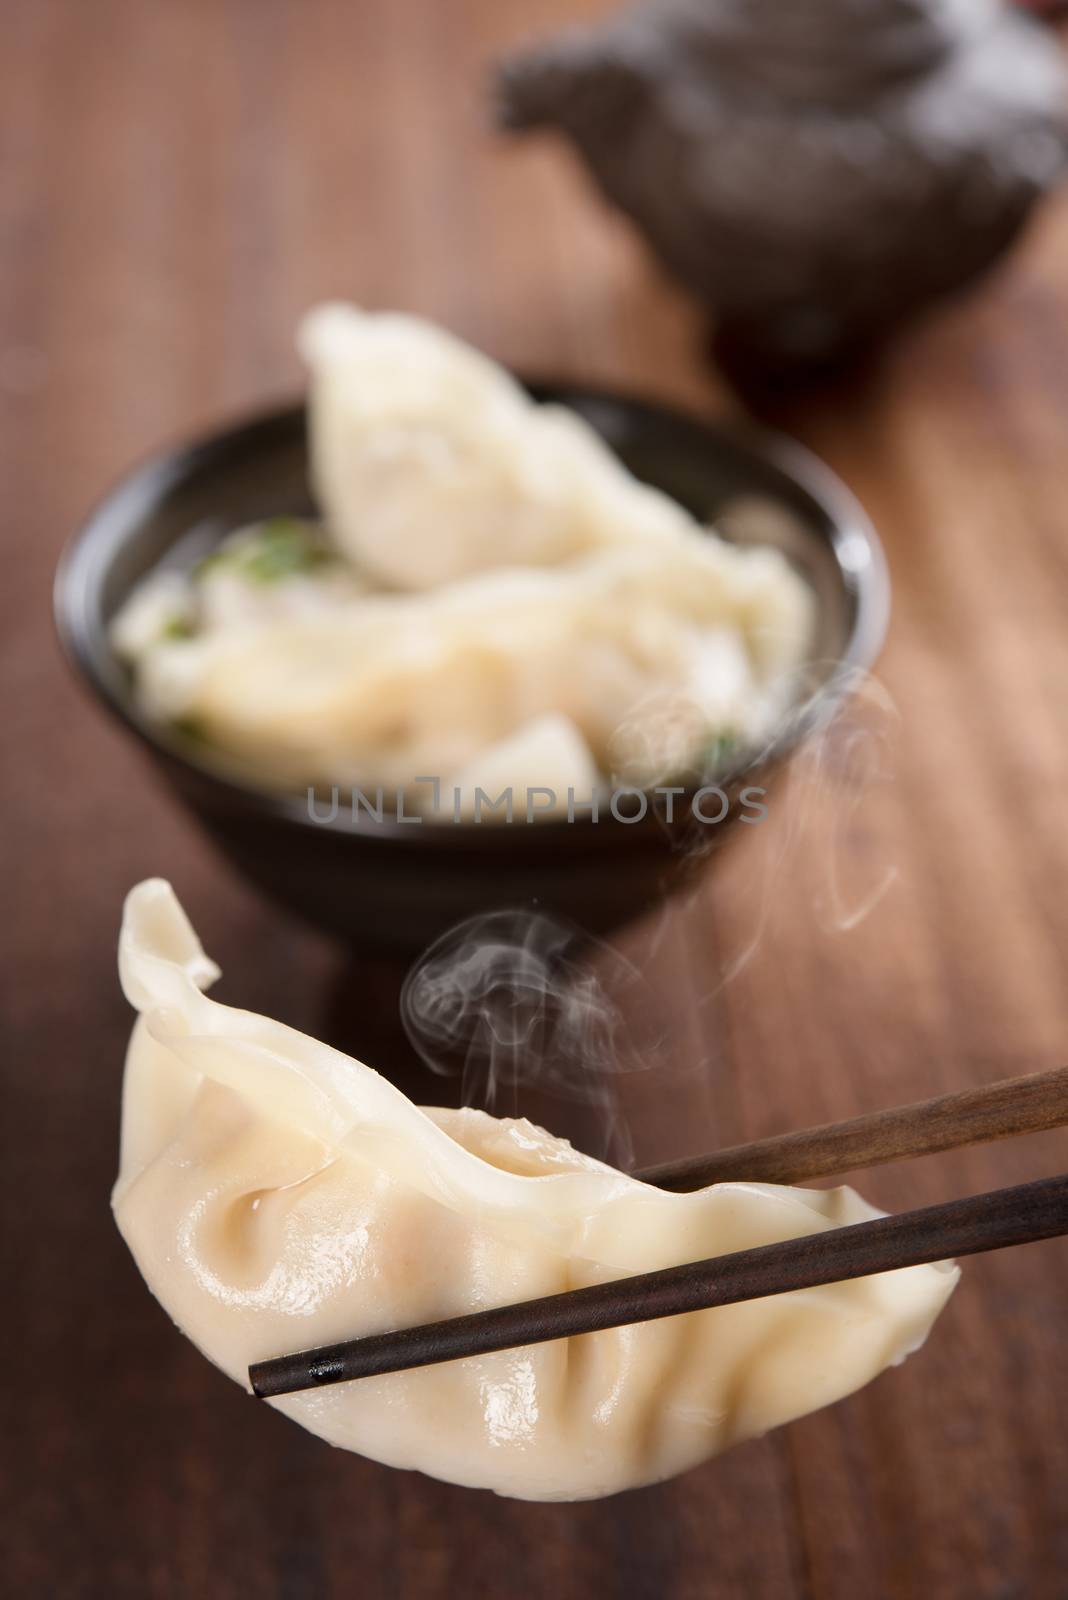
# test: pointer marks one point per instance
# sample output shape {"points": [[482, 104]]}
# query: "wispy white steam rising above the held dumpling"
{"points": [[519, 1006]]}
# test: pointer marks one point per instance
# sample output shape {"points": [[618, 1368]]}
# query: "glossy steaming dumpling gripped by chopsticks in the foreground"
{"points": [[277, 1194]]}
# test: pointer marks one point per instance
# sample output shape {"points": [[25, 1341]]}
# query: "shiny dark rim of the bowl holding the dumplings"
{"points": [[853, 540]]}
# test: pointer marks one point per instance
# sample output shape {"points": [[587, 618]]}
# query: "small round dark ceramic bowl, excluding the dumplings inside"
{"points": [[394, 887]]}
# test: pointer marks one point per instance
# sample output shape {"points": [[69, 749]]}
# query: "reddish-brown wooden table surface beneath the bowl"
{"points": [[180, 183]]}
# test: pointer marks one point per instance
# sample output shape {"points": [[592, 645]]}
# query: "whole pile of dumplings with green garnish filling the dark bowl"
{"points": [[485, 564]]}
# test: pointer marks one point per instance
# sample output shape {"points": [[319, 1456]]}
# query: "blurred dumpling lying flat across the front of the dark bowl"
{"points": [[642, 657]]}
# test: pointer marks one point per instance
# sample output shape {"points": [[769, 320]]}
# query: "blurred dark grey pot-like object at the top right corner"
{"points": [[815, 172]]}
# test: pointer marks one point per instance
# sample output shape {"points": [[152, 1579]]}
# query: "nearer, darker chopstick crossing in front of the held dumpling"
{"points": [[960, 1228]]}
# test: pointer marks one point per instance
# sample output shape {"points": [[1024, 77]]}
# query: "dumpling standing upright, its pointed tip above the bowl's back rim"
{"points": [[431, 463]]}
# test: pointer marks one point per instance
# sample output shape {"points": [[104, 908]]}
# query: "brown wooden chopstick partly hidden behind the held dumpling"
{"points": [[998, 1111]]}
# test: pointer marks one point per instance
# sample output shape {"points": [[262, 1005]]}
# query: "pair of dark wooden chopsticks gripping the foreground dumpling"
{"points": [[960, 1228]]}
